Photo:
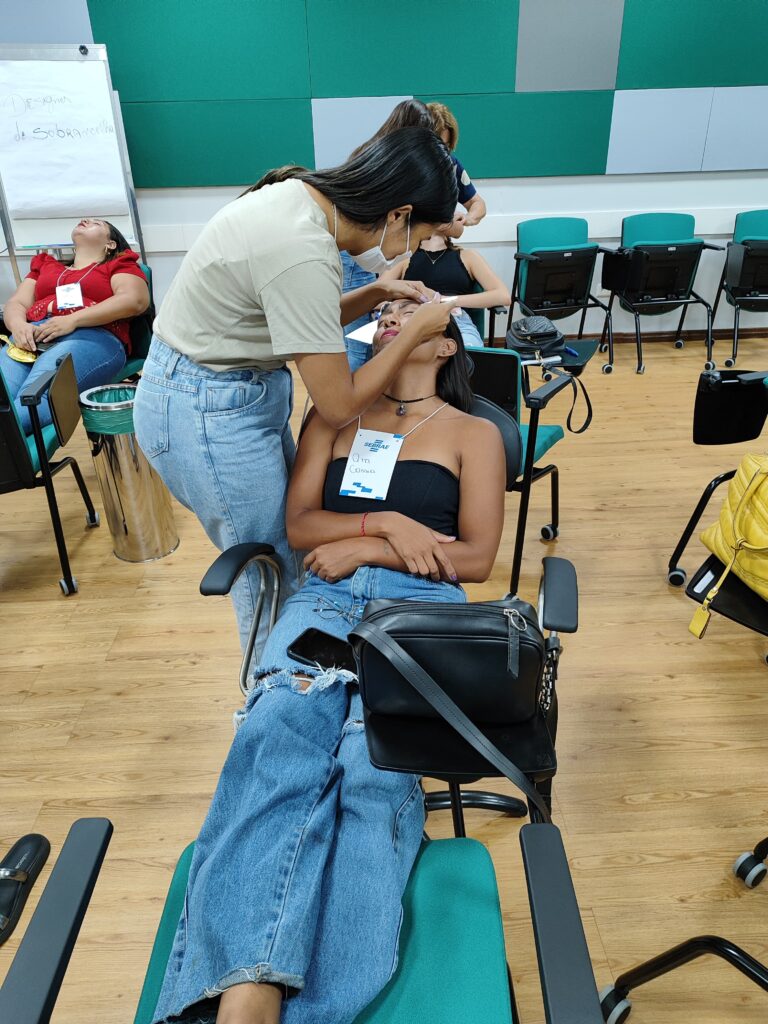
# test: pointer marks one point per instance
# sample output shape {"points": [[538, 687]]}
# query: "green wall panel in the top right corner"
{"points": [[689, 44]]}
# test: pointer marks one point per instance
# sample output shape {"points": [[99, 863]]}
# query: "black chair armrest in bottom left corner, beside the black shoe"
{"points": [[31, 988]]}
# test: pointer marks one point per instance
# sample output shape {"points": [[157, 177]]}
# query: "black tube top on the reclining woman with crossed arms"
{"points": [[425, 492]]}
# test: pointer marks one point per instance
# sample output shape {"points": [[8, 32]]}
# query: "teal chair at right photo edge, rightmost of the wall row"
{"points": [[745, 279]]}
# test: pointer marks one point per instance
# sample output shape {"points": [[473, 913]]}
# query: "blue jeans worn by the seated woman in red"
{"points": [[97, 355]]}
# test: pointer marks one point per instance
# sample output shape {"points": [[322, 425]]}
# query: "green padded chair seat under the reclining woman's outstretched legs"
{"points": [[452, 961]]}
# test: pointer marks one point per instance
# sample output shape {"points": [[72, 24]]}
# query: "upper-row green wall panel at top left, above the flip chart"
{"points": [[204, 50]]}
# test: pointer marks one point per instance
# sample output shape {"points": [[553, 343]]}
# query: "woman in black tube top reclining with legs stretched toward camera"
{"points": [[293, 905]]}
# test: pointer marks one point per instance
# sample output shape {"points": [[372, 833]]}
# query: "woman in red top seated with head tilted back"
{"points": [[83, 309]]}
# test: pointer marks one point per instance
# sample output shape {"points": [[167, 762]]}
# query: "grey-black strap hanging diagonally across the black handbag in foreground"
{"points": [[437, 697]]}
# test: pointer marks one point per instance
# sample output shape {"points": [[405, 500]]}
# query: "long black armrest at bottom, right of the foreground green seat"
{"points": [[565, 968]]}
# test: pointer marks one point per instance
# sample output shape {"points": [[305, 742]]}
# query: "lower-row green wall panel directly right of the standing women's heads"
{"points": [[533, 134]]}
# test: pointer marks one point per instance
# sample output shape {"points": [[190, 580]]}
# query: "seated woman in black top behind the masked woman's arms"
{"points": [[444, 268]]}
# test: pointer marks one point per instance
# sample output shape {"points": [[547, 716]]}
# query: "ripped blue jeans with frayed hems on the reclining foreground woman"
{"points": [[301, 868]]}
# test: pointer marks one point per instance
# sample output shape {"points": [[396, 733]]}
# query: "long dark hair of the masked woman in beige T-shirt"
{"points": [[410, 166]]}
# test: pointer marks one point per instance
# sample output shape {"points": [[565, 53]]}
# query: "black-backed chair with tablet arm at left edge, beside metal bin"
{"points": [[26, 461]]}
